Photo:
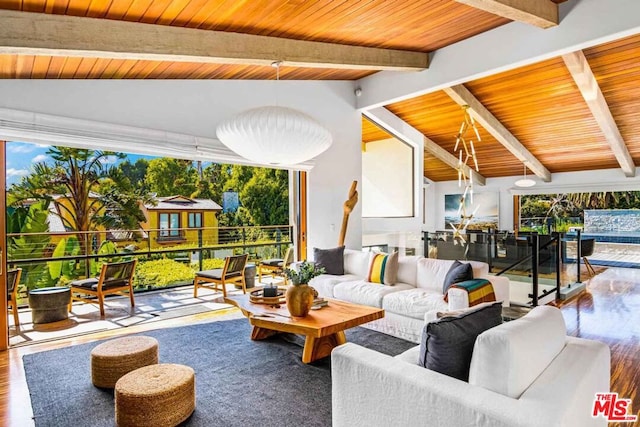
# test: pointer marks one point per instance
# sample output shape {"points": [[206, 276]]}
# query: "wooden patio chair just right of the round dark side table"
{"points": [[115, 278]]}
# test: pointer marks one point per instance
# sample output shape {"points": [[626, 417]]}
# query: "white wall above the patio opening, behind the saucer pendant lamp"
{"points": [[195, 107]]}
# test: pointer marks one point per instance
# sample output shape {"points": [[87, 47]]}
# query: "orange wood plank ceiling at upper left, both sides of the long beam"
{"points": [[413, 25]]}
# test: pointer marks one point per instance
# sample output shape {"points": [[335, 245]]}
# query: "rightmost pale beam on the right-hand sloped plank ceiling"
{"points": [[581, 72]]}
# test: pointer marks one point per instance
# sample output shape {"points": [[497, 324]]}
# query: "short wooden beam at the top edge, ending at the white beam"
{"points": [[541, 13]]}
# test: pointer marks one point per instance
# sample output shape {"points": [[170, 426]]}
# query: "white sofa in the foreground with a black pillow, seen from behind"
{"points": [[523, 373]]}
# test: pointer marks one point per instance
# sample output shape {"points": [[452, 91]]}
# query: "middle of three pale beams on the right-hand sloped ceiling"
{"points": [[462, 96]]}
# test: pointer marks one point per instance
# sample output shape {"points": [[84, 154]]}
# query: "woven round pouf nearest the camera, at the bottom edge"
{"points": [[161, 395]]}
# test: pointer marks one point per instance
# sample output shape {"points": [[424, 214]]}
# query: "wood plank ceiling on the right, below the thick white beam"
{"points": [[542, 106]]}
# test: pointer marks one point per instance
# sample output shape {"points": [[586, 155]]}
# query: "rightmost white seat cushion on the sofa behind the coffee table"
{"points": [[413, 302]]}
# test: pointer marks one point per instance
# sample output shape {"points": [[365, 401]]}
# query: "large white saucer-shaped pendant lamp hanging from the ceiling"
{"points": [[274, 135]]}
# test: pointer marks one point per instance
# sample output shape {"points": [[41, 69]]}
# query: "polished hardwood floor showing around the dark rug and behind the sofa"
{"points": [[609, 312]]}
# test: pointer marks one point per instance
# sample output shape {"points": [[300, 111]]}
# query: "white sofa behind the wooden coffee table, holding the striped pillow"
{"points": [[416, 295]]}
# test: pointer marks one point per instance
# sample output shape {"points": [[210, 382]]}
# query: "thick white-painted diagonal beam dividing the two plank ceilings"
{"points": [[585, 23]]}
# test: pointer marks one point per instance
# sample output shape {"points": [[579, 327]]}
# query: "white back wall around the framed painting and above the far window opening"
{"points": [[569, 182]]}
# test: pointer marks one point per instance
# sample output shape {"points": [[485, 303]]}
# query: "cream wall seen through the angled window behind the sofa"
{"points": [[387, 179]]}
